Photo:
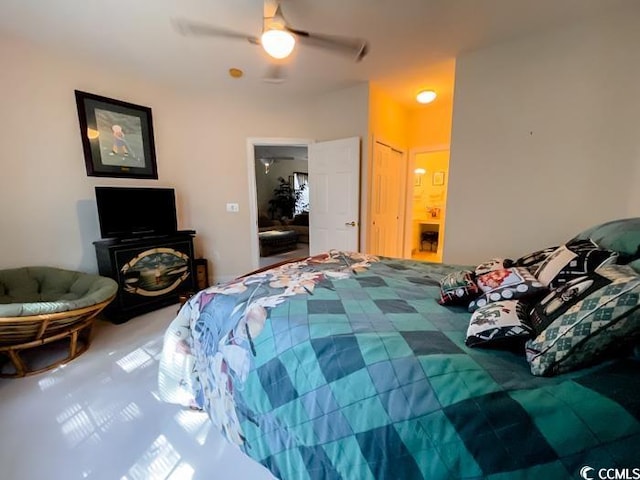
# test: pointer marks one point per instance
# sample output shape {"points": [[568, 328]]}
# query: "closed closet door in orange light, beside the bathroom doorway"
{"points": [[387, 201]]}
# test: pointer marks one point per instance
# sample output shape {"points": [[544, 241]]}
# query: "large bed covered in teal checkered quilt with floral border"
{"points": [[347, 365]]}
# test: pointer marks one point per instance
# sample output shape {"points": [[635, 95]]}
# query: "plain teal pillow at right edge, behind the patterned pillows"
{"points": [[622, 236]]}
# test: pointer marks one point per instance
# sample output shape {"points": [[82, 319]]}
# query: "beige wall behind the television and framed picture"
{"points": [[49, 214]]}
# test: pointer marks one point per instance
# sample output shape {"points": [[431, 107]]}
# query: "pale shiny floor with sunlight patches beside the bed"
{"points": [[99, 418]]}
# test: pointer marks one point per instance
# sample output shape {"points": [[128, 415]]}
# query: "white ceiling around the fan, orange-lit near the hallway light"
{"points": [[413, 43]]}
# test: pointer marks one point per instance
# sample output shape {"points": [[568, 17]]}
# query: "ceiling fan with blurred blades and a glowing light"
{"points": [[278, 38]]}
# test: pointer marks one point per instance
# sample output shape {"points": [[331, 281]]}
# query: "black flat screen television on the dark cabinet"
{"points": [[128, 212]]}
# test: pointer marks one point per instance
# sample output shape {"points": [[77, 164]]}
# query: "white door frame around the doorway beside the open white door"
{"points": [[251, 178]]}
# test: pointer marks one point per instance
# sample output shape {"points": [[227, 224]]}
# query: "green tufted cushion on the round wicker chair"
{"points": [[43, 290]]}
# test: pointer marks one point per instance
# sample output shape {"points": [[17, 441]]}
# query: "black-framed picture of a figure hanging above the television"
{"points": [[117, 137]]}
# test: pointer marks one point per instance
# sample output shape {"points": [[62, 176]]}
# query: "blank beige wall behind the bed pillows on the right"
{"points": [[545, 137]]}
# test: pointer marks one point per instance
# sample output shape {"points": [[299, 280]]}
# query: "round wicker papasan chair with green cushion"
{"points": [[43, 307]]}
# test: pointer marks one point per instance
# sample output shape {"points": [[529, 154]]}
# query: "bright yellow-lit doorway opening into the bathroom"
{"points": [[427, 205]]}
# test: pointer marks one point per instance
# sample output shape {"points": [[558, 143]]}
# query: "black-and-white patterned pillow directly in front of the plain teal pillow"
{"points": [[575, 259]]}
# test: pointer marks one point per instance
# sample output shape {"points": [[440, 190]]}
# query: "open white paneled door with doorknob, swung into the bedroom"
{"points": [[334, 195]]}
